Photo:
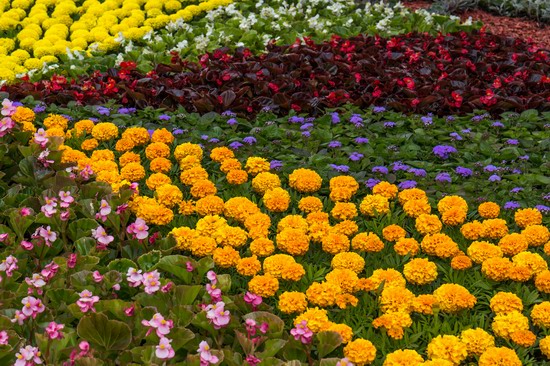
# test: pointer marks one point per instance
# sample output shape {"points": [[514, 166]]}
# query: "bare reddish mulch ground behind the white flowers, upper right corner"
{"points": [[516, 27]]}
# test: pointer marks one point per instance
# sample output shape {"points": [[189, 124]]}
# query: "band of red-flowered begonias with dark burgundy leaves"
{"points": [[448, 74]]}
